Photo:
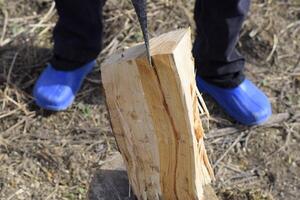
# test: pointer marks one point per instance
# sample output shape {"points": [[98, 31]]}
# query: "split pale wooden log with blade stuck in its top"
{"points": [[155, 117]]}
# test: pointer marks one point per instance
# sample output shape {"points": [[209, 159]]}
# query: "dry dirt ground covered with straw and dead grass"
{"points": [[48, 156]]}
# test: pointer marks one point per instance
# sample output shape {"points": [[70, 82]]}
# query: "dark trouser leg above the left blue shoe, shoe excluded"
{"points": [[78, 33]]}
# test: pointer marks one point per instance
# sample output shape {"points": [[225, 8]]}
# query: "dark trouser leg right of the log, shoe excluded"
{"points": [[218, 26]]}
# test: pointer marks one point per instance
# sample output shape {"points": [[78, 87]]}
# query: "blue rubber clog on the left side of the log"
{"points": [[56, 90]]}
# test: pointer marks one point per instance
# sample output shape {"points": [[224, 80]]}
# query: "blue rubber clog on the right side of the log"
{"points": [[245, 103]]}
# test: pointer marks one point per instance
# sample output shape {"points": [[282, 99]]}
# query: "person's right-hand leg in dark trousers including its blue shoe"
{"points": [[220, 67]]}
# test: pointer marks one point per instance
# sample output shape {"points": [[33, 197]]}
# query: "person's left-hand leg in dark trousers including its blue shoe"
{"points": [[77, 43]]}
